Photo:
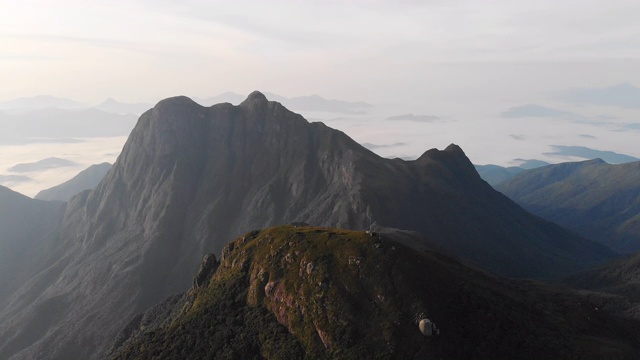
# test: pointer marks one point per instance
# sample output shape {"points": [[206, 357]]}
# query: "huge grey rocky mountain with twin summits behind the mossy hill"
{"points": [[190, 179]]}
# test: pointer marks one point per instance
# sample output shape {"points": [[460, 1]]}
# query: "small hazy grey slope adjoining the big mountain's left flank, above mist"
{"points": [[85, 180]]}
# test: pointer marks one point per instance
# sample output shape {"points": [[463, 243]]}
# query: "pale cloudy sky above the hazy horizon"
{"points": [[354, 50]]}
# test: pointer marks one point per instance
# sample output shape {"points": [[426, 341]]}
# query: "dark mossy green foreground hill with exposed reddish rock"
{"points": [[293, 293]]}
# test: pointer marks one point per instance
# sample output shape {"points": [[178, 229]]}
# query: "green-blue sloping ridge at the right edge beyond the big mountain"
{"points": [[595, 199]]}
